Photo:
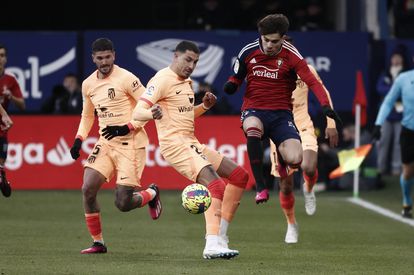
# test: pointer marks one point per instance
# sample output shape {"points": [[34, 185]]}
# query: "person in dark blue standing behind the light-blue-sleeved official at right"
{"points": [[388, 147]]}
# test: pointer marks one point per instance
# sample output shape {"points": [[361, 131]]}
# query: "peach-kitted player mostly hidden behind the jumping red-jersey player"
{"points": [[309, 164]]}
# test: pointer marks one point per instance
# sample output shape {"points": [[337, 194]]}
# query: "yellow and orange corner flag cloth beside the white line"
{"points": [[350, 160]]}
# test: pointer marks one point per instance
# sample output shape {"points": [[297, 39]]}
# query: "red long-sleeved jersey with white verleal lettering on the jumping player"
{"points": [[272, 79]]}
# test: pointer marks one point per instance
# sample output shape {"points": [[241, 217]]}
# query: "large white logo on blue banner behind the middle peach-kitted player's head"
{"points": [[158, 54]]}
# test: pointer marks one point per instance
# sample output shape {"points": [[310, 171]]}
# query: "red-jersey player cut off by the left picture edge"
{"points": [[9, 91]]}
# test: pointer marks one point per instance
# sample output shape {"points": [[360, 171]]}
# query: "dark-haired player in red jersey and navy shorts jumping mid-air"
{"points": [[270, 66]]}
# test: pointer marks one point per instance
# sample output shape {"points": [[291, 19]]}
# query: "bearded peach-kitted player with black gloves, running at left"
{"points": [[112, 92]]}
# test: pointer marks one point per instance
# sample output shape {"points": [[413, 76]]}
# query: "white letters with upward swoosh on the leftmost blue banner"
{"points": [[36, 71]]}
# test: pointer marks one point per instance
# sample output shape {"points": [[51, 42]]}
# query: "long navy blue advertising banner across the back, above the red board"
{"points": [[39, 60]]}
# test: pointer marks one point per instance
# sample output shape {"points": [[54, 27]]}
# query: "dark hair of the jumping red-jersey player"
{"points": [[273, 23]]}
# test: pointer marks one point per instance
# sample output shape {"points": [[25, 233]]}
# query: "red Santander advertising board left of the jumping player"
{"points": [[39, 157]]}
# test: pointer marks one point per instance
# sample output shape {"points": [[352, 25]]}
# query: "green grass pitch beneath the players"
{"points": [[42, 232]]}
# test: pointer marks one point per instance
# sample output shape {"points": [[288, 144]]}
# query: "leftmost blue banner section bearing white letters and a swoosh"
{"points": [[39, 61]]}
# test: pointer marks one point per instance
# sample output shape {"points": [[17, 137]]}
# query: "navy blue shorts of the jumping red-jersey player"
{"points": [[278, 125]]}
